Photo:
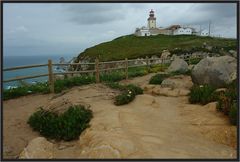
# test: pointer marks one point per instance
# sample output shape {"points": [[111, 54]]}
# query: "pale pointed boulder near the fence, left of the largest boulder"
{"points": [[178, 65]]}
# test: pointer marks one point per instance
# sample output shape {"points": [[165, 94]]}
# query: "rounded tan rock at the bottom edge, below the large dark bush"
{"points": [[37, 148]]}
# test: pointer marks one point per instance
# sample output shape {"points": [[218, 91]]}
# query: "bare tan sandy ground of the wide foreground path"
{"points": [[149, 127]]}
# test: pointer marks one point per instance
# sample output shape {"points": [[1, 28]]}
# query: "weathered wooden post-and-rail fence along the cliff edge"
{"points": [[97, 70]]}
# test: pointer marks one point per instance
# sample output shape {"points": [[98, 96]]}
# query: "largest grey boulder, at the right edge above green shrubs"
{"points": [[216, 71]]}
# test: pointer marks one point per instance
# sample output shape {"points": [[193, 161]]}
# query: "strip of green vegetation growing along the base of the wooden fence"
{"points": [[60, 85]]}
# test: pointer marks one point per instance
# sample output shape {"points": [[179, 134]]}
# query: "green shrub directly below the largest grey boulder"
{"points": [[202, 94]]}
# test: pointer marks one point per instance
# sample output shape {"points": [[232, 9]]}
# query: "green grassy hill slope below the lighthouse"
{"points": [[131, 46]]}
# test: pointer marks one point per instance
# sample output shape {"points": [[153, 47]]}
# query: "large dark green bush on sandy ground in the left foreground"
{"points": [[67, 126]]}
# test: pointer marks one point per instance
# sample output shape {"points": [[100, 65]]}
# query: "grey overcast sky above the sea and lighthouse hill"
{"points": [[68, 29]]}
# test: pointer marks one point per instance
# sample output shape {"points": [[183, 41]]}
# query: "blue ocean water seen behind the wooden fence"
{"points": [[12, 61]]}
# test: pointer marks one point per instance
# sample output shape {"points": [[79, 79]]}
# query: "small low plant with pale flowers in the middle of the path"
{"points": [[128, 92]]}
